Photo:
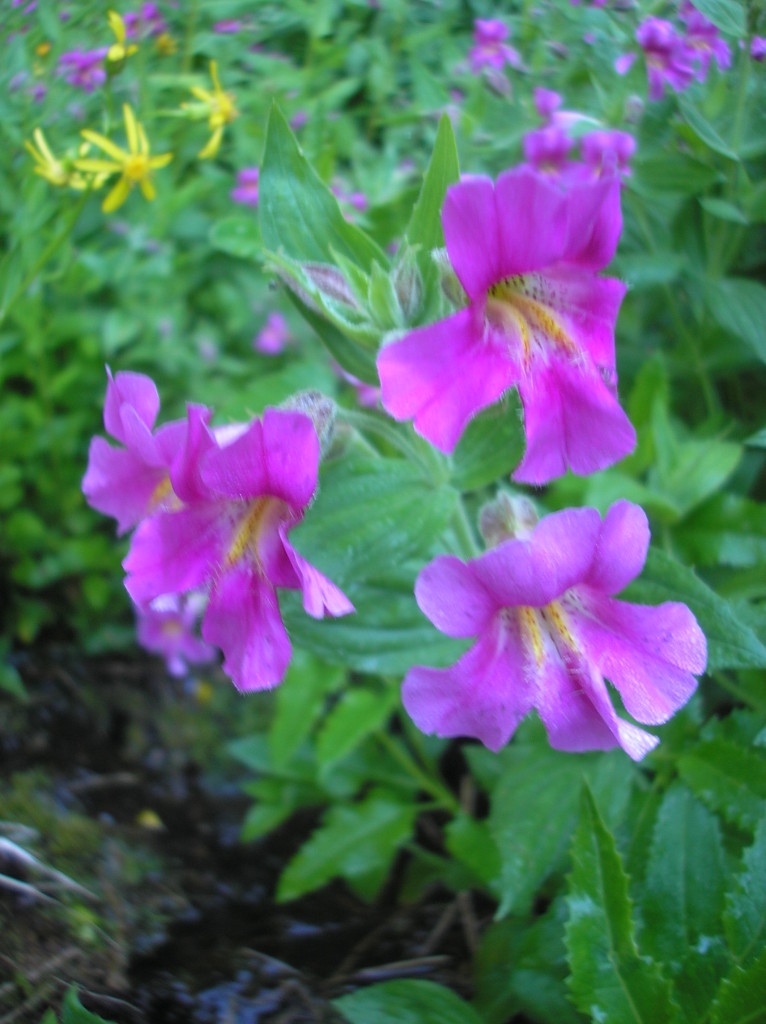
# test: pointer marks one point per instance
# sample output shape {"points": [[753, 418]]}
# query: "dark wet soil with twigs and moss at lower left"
{"points": [[118, 778]]}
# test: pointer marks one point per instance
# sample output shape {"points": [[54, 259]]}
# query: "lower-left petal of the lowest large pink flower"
{"points": [[485, 695]]}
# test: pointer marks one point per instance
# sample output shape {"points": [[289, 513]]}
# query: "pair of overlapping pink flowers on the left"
{"points": [[214, 510]]}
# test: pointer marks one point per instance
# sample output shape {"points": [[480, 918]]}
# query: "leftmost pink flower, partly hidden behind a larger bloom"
{"points": [[133, 482]]}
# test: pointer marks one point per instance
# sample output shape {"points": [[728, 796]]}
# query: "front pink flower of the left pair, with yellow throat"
{"points": [[241, 496]]}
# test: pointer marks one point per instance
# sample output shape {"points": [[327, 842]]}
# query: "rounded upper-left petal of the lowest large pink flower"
{"points": [[449, 592]]}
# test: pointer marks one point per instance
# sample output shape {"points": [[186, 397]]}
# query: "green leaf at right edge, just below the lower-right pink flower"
{"points": [[731, 779]]}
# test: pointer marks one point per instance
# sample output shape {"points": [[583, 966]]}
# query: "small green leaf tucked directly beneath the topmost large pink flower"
{"points": [[492, 446]]}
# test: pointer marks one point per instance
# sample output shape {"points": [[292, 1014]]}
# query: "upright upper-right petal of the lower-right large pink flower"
{"points": [[621, 551]]}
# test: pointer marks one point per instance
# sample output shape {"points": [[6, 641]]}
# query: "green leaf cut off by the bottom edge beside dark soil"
{"points": [[406, 1002]]}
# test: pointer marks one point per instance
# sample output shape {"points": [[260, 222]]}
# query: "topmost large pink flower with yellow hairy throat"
{"points": [[527, 250]]}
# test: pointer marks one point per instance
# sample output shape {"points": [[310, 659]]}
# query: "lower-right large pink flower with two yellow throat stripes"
{"points": [[548, 631]]}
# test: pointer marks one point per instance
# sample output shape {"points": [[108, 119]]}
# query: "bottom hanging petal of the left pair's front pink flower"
{"points": [[243, 619]]}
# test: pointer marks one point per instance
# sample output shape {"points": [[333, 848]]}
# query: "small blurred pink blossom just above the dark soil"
{"points": [[167, 627]]}
